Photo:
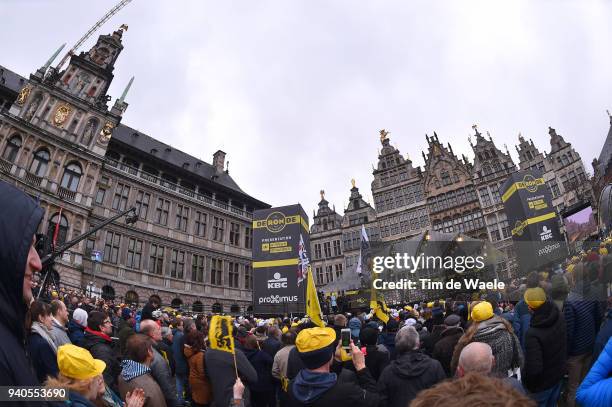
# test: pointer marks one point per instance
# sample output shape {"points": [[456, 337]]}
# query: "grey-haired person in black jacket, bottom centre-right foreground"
{"points": [[410, 373]]}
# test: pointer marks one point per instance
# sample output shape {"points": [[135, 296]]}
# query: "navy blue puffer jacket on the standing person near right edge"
{"points": [[582, 316]]}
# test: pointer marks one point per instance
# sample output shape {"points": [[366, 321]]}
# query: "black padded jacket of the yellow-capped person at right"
{"points": [[545, 348]]}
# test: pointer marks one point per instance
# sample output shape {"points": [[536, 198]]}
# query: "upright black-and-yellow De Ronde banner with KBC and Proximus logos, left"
{"points": [[281, 253]]}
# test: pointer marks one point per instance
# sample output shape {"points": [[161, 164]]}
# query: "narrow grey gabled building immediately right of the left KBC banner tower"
{"points": [[327, 258]]}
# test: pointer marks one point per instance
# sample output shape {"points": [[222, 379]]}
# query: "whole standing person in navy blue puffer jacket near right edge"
{"points": [[583, 316]]}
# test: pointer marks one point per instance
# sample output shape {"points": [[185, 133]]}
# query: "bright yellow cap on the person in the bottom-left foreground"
{"points": [[77, 363]]}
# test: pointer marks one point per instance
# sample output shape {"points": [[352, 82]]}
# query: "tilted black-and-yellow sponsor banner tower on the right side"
{"points": [[533, 221]]}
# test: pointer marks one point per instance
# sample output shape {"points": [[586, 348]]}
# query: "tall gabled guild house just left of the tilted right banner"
{"points": [[490, 170]]}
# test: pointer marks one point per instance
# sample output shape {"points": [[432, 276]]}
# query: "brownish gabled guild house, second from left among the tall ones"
{"points": [[451, 197]]}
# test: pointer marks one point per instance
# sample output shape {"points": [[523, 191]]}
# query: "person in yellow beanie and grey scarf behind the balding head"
{"points": [[497, 333]]}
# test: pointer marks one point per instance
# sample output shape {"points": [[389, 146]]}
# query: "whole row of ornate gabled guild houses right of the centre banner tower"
{"points": [[450, 195]]}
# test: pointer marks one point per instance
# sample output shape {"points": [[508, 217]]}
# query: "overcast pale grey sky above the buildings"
{"points": [[295, 92]]}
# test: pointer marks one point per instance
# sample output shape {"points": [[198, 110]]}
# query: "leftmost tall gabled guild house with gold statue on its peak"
{"points": [[398, 194]]}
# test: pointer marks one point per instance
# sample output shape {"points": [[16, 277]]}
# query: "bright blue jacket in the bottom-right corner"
{"points": [[596, 389]]}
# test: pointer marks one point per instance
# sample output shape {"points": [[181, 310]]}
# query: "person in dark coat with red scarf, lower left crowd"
{"points": [[98, 342]]}
